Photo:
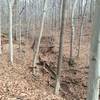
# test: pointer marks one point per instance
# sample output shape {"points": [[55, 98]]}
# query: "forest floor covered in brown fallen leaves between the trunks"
{"points": [[18, 83]]}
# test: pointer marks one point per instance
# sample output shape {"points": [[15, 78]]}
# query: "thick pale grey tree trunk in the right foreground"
{"points": [[94, 70]]}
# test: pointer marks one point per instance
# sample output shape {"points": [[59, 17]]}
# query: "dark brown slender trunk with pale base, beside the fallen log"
{"points": [[57, 87]]}
